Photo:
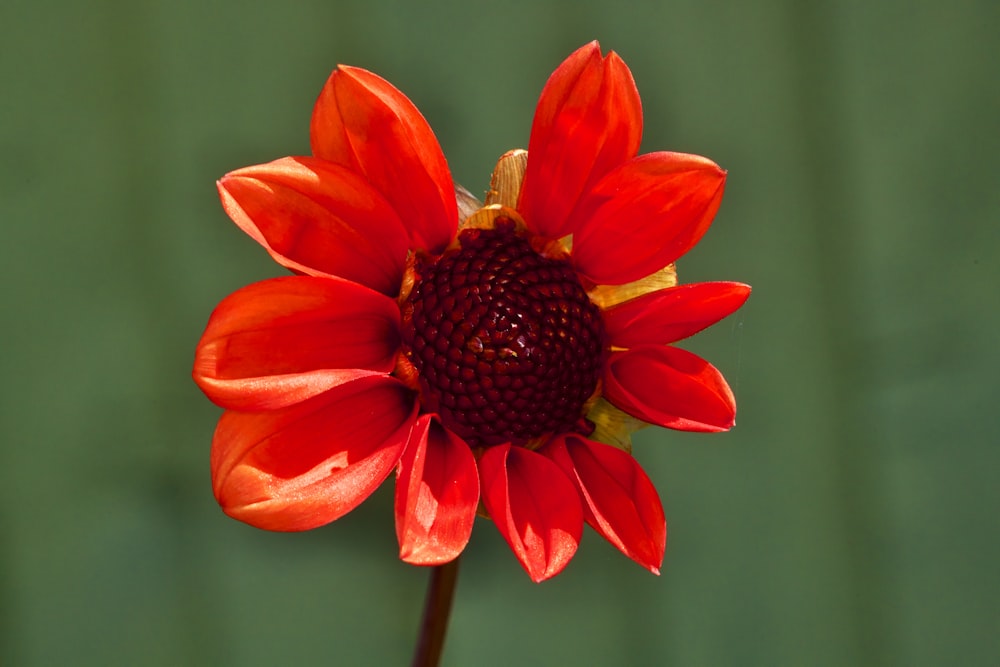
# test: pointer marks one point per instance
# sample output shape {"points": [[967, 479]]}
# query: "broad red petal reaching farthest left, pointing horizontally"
{"points": [[281, 341]]}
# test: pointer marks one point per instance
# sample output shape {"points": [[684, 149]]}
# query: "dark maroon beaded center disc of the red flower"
{"points": [[507, 345]]}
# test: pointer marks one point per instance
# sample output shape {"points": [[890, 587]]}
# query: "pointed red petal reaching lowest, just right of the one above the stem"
{"points": [[535, 507]]}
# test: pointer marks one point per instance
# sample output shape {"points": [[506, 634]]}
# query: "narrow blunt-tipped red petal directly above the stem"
{"points": [[437, 492]]}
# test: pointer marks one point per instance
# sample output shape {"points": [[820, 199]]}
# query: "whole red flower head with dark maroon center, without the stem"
{"points": [[483, 352]]}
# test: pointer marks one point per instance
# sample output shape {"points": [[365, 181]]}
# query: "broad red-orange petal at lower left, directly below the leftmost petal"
{"points": [[304, 466]]}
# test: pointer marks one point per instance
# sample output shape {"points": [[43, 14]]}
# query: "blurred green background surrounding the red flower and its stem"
{"points": [[849, 519]]}
